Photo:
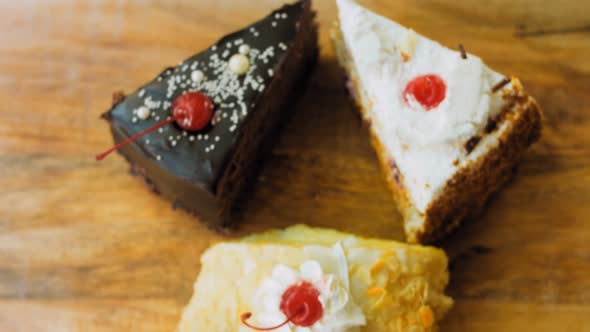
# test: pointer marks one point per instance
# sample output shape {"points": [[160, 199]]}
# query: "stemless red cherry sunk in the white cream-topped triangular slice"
{"points": [[428, 90]]}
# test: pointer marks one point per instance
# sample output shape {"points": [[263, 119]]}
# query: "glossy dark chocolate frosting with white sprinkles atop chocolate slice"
{"points": [[200, 157]]}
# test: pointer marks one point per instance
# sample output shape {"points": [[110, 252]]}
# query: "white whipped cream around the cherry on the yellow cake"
{"points": [[328, 272]]}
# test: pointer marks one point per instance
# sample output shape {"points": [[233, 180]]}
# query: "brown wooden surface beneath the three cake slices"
{"points": [[85, 247]]}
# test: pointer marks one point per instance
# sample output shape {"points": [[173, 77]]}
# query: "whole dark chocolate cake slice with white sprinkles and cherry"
{"points": [[203, 126]]}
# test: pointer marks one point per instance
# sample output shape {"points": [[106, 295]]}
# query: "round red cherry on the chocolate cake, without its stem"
{"points": [[193, 111]]}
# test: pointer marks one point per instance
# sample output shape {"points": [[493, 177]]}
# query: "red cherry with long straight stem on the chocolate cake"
{"points": [[191, 111]]}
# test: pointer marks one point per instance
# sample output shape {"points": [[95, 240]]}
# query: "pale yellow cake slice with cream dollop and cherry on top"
{"points": [[310, 279]]}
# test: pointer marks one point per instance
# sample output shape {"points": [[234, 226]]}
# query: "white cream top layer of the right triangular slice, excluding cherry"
{"points": [[424, 144]]}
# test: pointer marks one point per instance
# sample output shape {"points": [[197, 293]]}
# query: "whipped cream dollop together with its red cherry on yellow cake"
{"points": [[307, 300]]}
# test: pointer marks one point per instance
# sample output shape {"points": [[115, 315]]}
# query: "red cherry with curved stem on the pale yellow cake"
{"points": [[300, 303]]}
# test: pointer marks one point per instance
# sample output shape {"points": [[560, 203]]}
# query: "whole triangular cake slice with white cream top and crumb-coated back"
{"points": [[448, 130]]}
